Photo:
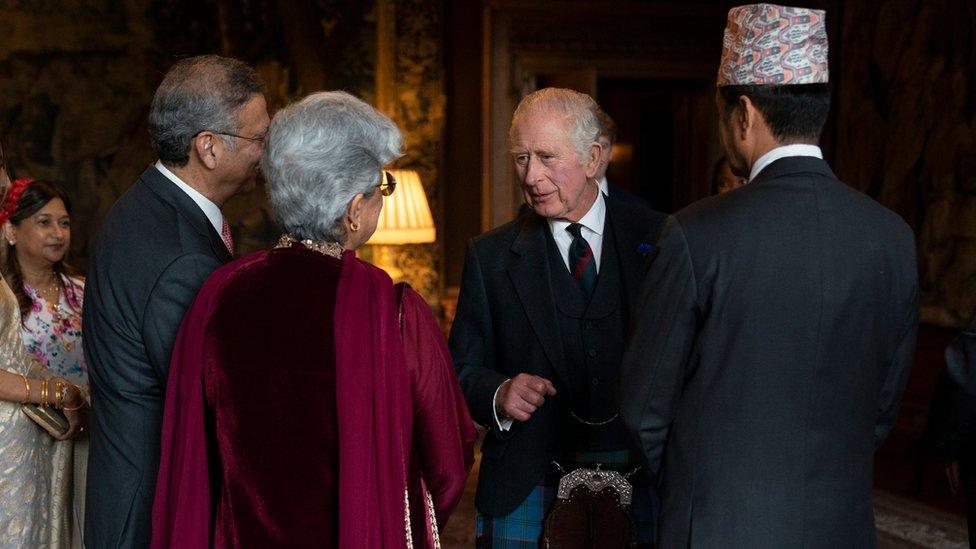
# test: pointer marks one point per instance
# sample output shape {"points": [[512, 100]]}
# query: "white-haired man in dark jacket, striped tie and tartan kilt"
{"points": [[541, 319]]}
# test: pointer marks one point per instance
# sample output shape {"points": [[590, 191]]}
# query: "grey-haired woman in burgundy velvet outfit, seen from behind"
{"points": [[309, 399]]}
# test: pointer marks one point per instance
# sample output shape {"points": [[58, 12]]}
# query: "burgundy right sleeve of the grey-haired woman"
{"points": [[443, 432]]}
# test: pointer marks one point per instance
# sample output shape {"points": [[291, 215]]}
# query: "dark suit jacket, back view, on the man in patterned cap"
{"points": [[774, 337]]}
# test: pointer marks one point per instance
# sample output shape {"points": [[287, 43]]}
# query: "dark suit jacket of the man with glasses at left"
{"points": [[155, 249]]}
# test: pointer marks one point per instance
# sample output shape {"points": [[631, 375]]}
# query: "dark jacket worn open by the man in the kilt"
{"points": [[506, 324]]}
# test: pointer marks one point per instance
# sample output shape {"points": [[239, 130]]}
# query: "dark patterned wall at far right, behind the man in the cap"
{"points": [[905, 98]]}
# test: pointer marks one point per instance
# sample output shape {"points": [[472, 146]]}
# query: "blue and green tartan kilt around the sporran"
{"points": [[523, 527]]}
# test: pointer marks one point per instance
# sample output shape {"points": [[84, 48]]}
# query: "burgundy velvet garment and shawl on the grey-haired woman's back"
{"points": [[210, 455]]}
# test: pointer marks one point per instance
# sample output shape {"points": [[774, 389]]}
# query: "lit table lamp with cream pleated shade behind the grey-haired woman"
{"points": [[405, 219]]}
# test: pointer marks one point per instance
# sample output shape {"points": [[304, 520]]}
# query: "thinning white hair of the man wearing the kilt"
{"points": [[579, 110]]}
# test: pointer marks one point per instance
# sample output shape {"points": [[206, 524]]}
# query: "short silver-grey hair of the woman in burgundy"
{"points": [[321, 152]]}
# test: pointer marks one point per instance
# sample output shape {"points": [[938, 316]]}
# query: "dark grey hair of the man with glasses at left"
{"points": [[198, 93]]}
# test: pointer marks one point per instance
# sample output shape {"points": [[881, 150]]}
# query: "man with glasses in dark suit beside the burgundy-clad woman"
{"points": [[157, 245]]}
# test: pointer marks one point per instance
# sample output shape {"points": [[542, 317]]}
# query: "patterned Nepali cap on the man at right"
{"points": [[766, 44]]}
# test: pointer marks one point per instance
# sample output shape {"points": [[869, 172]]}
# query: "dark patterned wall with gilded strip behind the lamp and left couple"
{"points": [[79, 77]]}
